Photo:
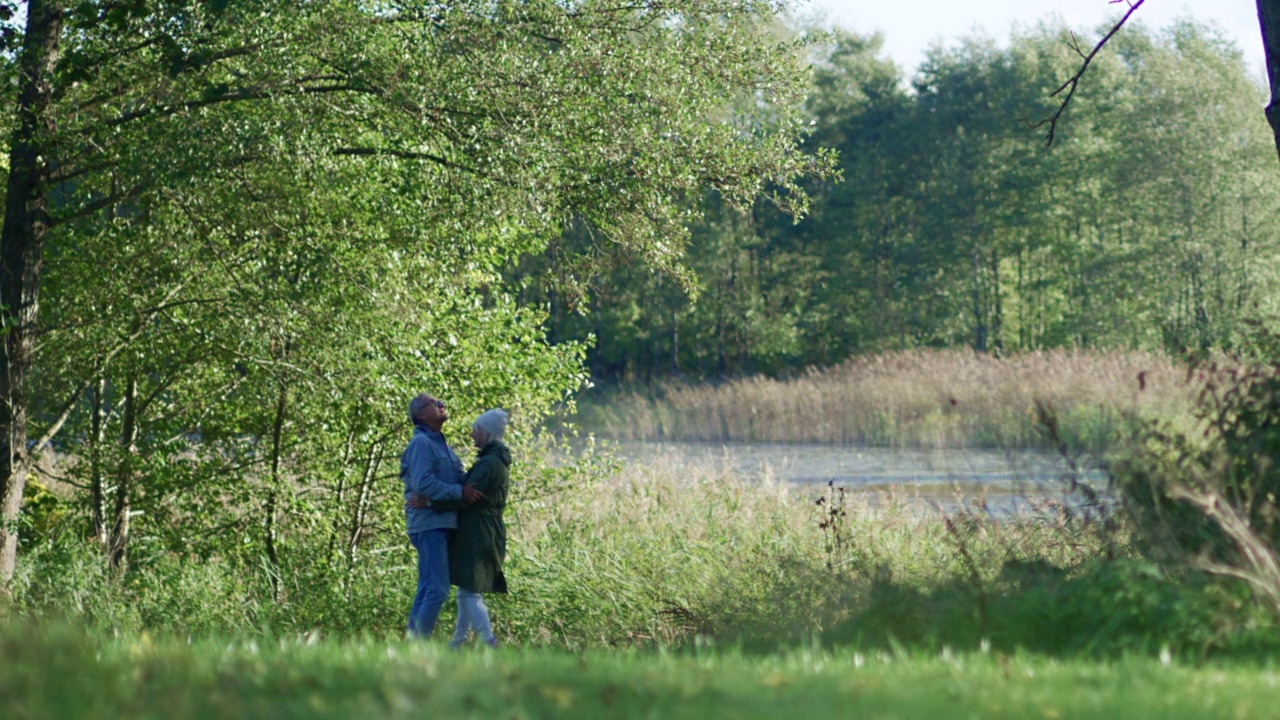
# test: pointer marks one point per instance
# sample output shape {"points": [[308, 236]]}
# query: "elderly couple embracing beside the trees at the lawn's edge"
{"points": [[455, 520]]}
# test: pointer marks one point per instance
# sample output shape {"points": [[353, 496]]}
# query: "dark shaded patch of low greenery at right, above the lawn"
{"points": [[1104, 609]]}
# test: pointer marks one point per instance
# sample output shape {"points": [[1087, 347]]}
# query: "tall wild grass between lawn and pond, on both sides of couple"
{"points": [[669, 554]]}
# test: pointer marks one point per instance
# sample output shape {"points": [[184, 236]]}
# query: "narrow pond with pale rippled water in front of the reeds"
{"points": [[1007, 481]]}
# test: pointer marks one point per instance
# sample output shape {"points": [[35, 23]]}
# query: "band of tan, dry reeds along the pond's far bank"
{"points": [[925, 398]]}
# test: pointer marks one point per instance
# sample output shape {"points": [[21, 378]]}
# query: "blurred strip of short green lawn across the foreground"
{"points": [[62, 673]]}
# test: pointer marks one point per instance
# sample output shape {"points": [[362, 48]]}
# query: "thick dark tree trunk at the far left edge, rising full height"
{"points": [[22, 243]]}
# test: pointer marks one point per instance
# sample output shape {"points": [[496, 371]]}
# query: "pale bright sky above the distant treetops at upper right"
{"points": [[912, 26]]}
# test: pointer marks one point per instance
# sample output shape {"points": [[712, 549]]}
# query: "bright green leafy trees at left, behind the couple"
{"points": [[272, 224]]}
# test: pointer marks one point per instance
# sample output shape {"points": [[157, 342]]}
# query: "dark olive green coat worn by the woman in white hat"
{"points": [[479, 546]]}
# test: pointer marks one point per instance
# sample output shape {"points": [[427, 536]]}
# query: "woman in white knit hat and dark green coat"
{"points": [[479, 546]]}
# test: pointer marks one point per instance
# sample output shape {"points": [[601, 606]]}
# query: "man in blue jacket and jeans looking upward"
{"points": [[431, 470]]}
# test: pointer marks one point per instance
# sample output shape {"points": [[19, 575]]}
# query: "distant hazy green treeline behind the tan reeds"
{"points": [[1150, 224]]}
